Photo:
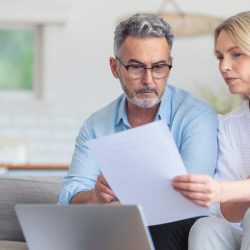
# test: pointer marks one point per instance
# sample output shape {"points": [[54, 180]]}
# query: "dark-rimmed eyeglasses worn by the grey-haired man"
{"points": [[137, 71]]}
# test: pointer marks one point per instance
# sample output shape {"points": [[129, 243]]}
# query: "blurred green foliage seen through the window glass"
{"points": [[16, 59]]}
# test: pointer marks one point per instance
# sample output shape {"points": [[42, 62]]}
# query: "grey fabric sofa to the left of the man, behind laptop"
{"points": [[22, 189]]}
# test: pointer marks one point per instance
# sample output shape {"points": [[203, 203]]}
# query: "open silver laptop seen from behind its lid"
{"points": [[84, 227]]}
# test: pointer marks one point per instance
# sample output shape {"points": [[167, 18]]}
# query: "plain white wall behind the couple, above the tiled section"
{"points": [[78, 77]]}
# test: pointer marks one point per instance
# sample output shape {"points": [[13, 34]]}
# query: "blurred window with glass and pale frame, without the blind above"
{"points": [[20, 63]]}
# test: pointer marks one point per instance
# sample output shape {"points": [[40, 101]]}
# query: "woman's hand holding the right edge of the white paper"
{"points": [[202, 190]]}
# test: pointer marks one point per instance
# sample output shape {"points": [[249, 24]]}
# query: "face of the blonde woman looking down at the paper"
{"points": [[234, 64]]}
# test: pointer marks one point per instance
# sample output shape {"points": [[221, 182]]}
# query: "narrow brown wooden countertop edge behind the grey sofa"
{"points": [[35, 166]]}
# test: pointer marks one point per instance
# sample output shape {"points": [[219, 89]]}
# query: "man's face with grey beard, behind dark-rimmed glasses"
{"points": [[147, 90]]}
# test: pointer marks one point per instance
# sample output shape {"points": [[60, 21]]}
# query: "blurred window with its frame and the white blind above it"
{"points": [[21, 46]]}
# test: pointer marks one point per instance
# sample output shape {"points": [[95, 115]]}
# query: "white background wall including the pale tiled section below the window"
{"points": [[78, 79]]}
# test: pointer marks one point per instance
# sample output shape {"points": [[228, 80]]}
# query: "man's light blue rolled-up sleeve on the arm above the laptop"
{"points": [[83, 170]]}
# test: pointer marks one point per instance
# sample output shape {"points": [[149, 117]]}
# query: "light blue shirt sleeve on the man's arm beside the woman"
{"points": [[199, 146]]}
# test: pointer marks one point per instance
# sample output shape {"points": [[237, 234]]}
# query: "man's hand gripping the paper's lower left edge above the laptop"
{"points": [[102, 192]]}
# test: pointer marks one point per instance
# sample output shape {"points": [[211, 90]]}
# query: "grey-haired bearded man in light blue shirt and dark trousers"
{"points": [[142, 63]]}
